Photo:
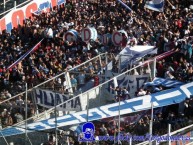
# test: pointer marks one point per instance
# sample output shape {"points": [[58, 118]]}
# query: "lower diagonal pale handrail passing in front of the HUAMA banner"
{"points": [[100, 85]]}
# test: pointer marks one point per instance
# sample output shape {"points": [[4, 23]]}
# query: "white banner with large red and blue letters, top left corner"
{"points": [[17, 16]]}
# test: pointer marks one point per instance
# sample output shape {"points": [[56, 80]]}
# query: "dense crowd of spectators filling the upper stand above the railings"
{"points": [[169, 30]]}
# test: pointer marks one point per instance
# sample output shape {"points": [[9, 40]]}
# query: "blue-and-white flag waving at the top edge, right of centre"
{"points": [[155, 5]]}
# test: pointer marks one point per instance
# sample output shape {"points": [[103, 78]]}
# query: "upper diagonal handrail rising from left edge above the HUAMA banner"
{"points": [[53, 78]]}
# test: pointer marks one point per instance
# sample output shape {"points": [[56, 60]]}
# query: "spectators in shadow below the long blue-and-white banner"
{"points": [[137, 129]]}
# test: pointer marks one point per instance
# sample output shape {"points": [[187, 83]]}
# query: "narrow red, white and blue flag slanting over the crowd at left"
{"points": [[25, 55]]}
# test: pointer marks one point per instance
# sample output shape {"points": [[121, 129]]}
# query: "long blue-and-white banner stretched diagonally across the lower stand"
{"points": [[164, 98]]}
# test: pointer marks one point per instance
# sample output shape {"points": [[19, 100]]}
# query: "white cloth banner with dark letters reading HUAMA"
{"points": [[49, 99]]}
